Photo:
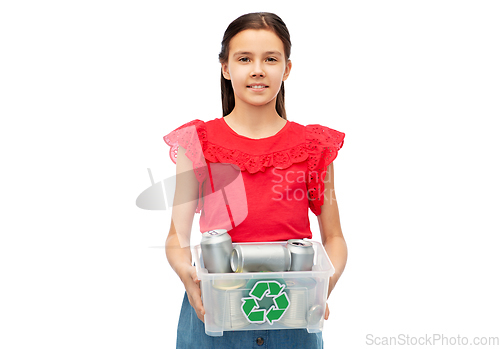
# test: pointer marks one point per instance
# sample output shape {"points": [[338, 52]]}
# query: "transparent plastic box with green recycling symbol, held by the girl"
{"points": [[265, 300]]}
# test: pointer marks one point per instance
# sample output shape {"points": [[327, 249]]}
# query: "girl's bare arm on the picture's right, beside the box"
{"points": [[331, 233]]}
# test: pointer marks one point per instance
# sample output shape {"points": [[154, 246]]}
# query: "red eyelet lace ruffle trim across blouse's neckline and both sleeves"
{"points": [[320, 148]]}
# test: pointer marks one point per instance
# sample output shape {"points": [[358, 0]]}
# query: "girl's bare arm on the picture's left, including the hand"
{"points": [[177, 245]]}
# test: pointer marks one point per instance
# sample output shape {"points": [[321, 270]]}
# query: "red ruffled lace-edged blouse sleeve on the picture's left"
{"points": [[192, 136]]}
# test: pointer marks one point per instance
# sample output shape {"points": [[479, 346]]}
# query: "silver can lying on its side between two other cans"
{"points": [[253, 258]]}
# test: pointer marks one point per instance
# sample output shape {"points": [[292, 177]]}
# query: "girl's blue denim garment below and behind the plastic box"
{"points": [[191, 335]]}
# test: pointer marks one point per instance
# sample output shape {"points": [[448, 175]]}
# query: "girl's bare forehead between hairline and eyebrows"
{"points": [[256, 41]]}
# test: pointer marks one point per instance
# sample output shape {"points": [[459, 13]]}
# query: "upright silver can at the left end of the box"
{"points": [[216, 248]]}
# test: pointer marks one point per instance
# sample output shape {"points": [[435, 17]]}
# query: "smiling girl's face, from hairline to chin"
{"points": [[256, 66]]}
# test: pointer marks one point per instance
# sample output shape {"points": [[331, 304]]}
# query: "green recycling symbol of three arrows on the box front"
{"points": [[250, 306]]}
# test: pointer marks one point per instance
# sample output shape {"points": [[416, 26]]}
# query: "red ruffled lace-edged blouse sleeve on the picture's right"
{"points": [[323, 144]]}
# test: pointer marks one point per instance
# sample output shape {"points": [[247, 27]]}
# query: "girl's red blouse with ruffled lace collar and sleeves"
{"points": [[258, 189]]}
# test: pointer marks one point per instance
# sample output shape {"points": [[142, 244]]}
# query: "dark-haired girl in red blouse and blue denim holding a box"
{"points": [[286, 168]]}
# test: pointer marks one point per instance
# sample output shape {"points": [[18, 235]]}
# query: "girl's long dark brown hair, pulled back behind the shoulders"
{"points": [[257, 20]]}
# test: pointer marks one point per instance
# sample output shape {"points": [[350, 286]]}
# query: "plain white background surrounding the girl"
{"points": [[89, 88]]}
